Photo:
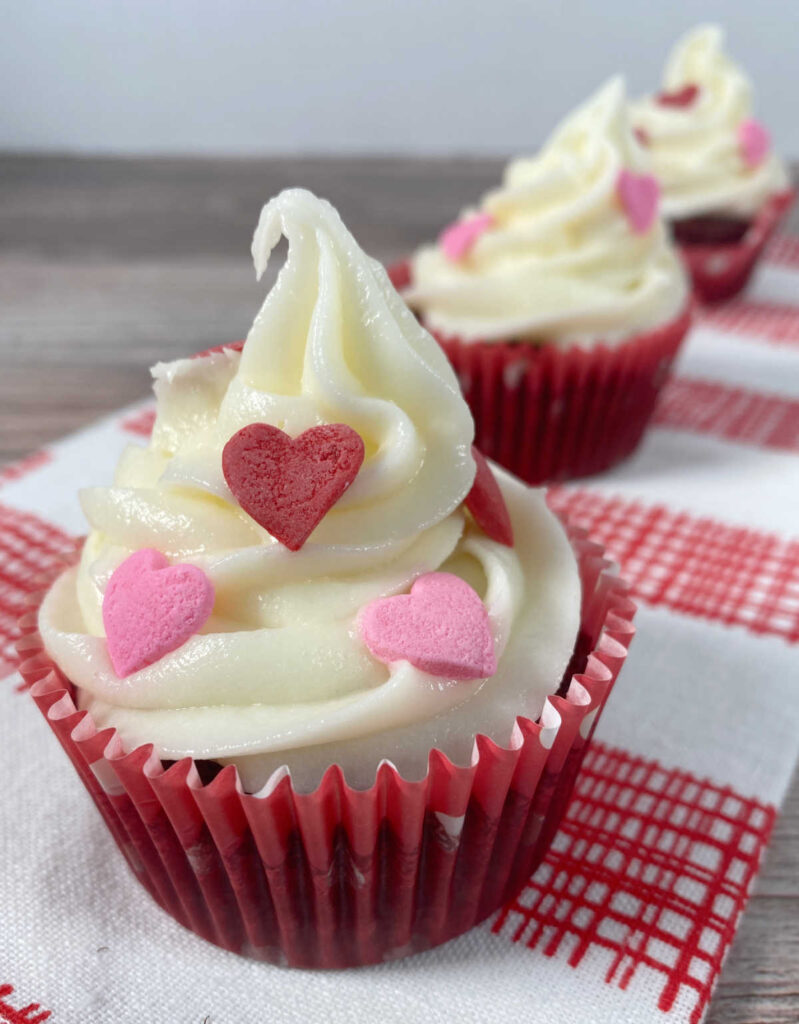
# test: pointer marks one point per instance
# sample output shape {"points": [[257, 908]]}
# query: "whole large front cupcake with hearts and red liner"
{"points": [[327, 675]]}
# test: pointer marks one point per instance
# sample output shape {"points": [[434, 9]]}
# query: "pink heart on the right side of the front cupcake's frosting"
{"points": [[442, 627]]}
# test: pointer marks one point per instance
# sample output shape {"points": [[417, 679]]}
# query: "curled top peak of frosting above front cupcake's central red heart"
{"points": [[333, 344]]}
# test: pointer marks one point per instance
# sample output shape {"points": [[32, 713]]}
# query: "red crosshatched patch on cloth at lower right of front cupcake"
{"points": [[653, 867]]}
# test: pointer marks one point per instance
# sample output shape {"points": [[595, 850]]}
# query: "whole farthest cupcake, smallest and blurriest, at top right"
{"points": [[725, 190]]}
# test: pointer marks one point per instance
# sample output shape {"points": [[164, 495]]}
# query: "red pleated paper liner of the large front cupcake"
{"points": [[342, 877]]}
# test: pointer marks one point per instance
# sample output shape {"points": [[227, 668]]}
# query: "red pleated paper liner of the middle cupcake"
{"points": [[552, 414]]}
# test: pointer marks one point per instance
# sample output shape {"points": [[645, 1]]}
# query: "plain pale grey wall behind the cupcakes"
{"points": [[364, 76]]}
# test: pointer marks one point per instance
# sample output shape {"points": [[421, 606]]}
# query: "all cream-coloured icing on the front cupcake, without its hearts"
{"points": [[279, 674]]}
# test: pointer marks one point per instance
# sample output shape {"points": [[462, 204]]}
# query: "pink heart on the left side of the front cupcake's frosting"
{"points": [[152, 608]]}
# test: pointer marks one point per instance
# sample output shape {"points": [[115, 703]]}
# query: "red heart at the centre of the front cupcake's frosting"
{"points": [[288, 485]]}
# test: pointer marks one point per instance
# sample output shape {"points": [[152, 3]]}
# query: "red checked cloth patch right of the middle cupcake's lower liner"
{"points": [[733, 413]]}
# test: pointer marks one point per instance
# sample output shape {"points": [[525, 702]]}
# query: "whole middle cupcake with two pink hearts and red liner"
{"points": [[560, 301]]}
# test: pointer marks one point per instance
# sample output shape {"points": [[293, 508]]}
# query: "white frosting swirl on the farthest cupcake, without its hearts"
{"points": [[696, 150]]}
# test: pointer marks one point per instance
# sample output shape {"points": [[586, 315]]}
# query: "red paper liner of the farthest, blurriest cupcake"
{"points": [[721, 271]]}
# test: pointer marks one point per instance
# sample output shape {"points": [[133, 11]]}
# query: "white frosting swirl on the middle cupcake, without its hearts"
{"points": [[561, 265]]}
